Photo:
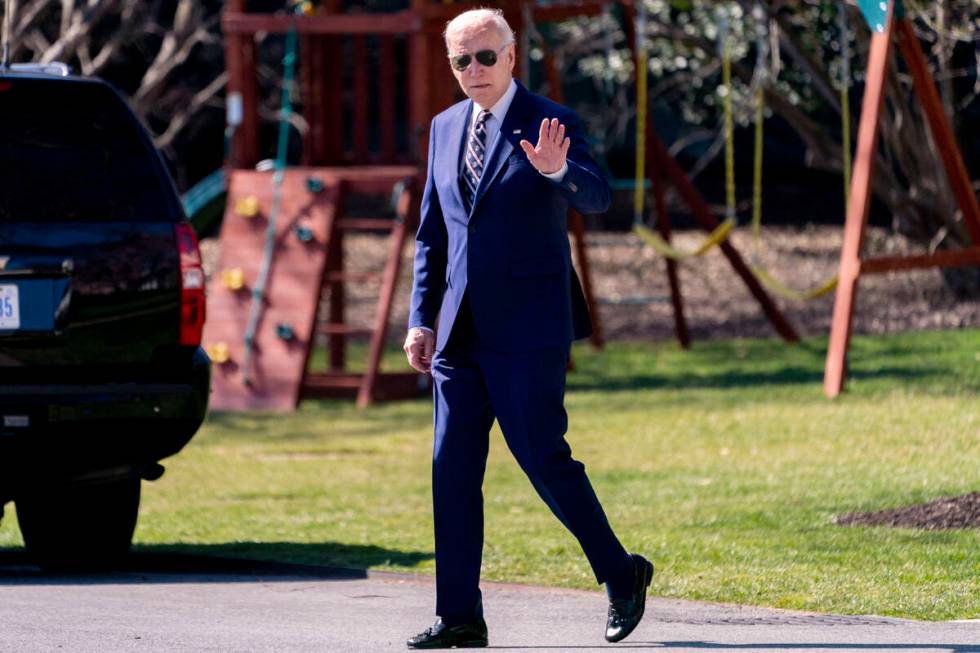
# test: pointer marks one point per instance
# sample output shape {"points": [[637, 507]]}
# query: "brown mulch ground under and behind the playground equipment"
{"points": [[633, 298]]}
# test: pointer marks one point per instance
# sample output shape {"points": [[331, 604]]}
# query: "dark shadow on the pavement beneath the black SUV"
{"points": [[239, 562]]}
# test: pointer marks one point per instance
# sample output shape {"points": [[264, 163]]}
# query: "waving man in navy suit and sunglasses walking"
{"points": [[492, 261]]}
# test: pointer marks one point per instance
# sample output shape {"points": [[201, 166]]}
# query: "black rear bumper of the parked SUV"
{"points": [[71, 429]]}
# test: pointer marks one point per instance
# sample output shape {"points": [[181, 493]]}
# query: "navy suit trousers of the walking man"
{"points": [[524, 391]]}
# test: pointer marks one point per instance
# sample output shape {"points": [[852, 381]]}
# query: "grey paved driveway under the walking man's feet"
{"points": [[180, 603]]}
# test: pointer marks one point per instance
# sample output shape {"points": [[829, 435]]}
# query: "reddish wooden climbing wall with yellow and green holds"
{"points": [[284, 334]]}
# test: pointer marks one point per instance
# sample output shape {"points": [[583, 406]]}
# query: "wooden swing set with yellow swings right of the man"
{"points": [[888, 22]]}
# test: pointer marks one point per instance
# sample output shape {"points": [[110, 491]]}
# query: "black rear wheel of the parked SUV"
{"points": [[77, 528]]}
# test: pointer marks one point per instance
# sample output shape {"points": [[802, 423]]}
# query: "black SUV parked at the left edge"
{"points": [[101, 312]]}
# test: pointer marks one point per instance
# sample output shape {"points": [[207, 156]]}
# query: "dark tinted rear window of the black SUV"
{"points": [[72, 151]]}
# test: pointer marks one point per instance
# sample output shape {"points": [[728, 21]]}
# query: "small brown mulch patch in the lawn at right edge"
{"points": [[954, 512]]}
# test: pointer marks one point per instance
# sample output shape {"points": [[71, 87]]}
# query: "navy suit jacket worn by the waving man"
{"points": [[510, 253]]}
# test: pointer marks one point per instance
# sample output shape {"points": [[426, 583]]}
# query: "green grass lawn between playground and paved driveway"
{"points": [[725, 465]]}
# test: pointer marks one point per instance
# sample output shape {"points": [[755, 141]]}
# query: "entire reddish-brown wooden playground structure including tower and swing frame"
{"points": [[366, 133]]}
